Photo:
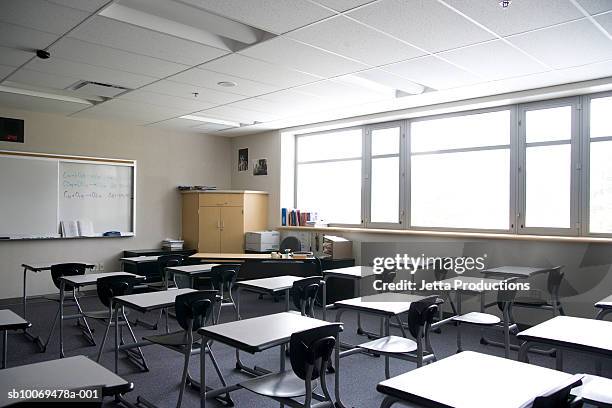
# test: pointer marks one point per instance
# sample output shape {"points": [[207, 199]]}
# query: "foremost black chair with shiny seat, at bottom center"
{"points": [[310, 353]]}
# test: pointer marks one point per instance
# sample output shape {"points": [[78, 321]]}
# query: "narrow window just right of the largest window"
{"points": [[546, 170]]}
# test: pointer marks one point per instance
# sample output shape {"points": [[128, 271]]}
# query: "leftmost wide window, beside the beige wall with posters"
{"points": [[328, 175]]}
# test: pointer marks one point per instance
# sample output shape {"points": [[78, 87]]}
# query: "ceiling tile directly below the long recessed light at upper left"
{"points": [[115, 34]]}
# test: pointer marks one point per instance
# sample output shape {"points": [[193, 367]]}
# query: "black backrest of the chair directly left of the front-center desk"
{"points": [[194, 308]]}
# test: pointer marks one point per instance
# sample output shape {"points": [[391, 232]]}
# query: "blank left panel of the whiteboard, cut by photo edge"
{"points": [[28, 197]]}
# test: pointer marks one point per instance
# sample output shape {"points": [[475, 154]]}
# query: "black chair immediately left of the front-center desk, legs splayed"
{"points": [[193, 311]]}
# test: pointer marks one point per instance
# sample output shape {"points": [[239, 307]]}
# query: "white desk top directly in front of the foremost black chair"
{"points": [[260, 333]]}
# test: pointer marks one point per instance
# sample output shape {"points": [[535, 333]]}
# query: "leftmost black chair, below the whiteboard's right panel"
{"points": [[58, 271]]}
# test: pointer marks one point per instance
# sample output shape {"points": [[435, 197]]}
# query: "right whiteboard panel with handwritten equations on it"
{"points": [[99, 193]]}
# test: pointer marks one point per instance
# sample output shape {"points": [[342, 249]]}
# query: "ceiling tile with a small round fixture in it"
{"points": [[210, 79]]}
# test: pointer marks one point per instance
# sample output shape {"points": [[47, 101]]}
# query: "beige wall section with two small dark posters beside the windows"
{"points": [[261, 146]]}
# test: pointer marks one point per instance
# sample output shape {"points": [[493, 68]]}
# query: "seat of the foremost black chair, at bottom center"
{"points": [[279, 385]]}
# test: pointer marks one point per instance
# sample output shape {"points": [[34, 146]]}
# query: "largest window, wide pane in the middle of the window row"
{"points": [[460, 172]]}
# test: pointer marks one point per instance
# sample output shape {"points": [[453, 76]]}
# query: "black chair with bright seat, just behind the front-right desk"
{"points": [[420, 318]]}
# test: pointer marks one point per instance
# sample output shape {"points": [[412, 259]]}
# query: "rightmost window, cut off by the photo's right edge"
{"points": [[600, 166]]}
